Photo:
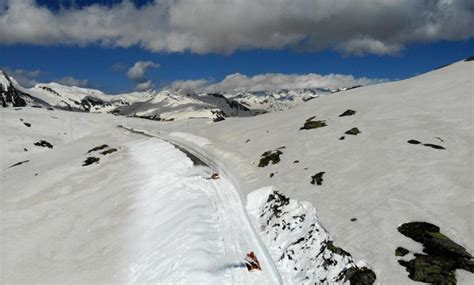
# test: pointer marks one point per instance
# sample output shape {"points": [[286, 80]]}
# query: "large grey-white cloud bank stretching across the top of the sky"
{"points": [[202, 26]]}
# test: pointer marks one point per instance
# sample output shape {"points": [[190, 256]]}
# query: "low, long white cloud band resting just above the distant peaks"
{"points": [[272, 81]]}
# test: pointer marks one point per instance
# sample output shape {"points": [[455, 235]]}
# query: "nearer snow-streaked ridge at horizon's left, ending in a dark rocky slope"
{"points": [[164, 105]]}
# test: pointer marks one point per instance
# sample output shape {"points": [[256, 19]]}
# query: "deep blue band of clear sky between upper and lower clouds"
{"points": [[105, 66]]}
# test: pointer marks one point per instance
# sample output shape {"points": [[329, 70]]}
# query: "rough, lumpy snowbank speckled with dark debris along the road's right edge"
{"points": [[299, 244]]}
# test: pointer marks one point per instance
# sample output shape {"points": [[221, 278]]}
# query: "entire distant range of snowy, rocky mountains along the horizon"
{"points": [[163, 105]]}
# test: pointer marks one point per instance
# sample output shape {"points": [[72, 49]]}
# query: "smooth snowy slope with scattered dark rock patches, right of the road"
{"points": [[379, 156]]}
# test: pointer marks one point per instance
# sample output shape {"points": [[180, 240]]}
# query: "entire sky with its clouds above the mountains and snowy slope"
{"points": [[221, 45]]}
